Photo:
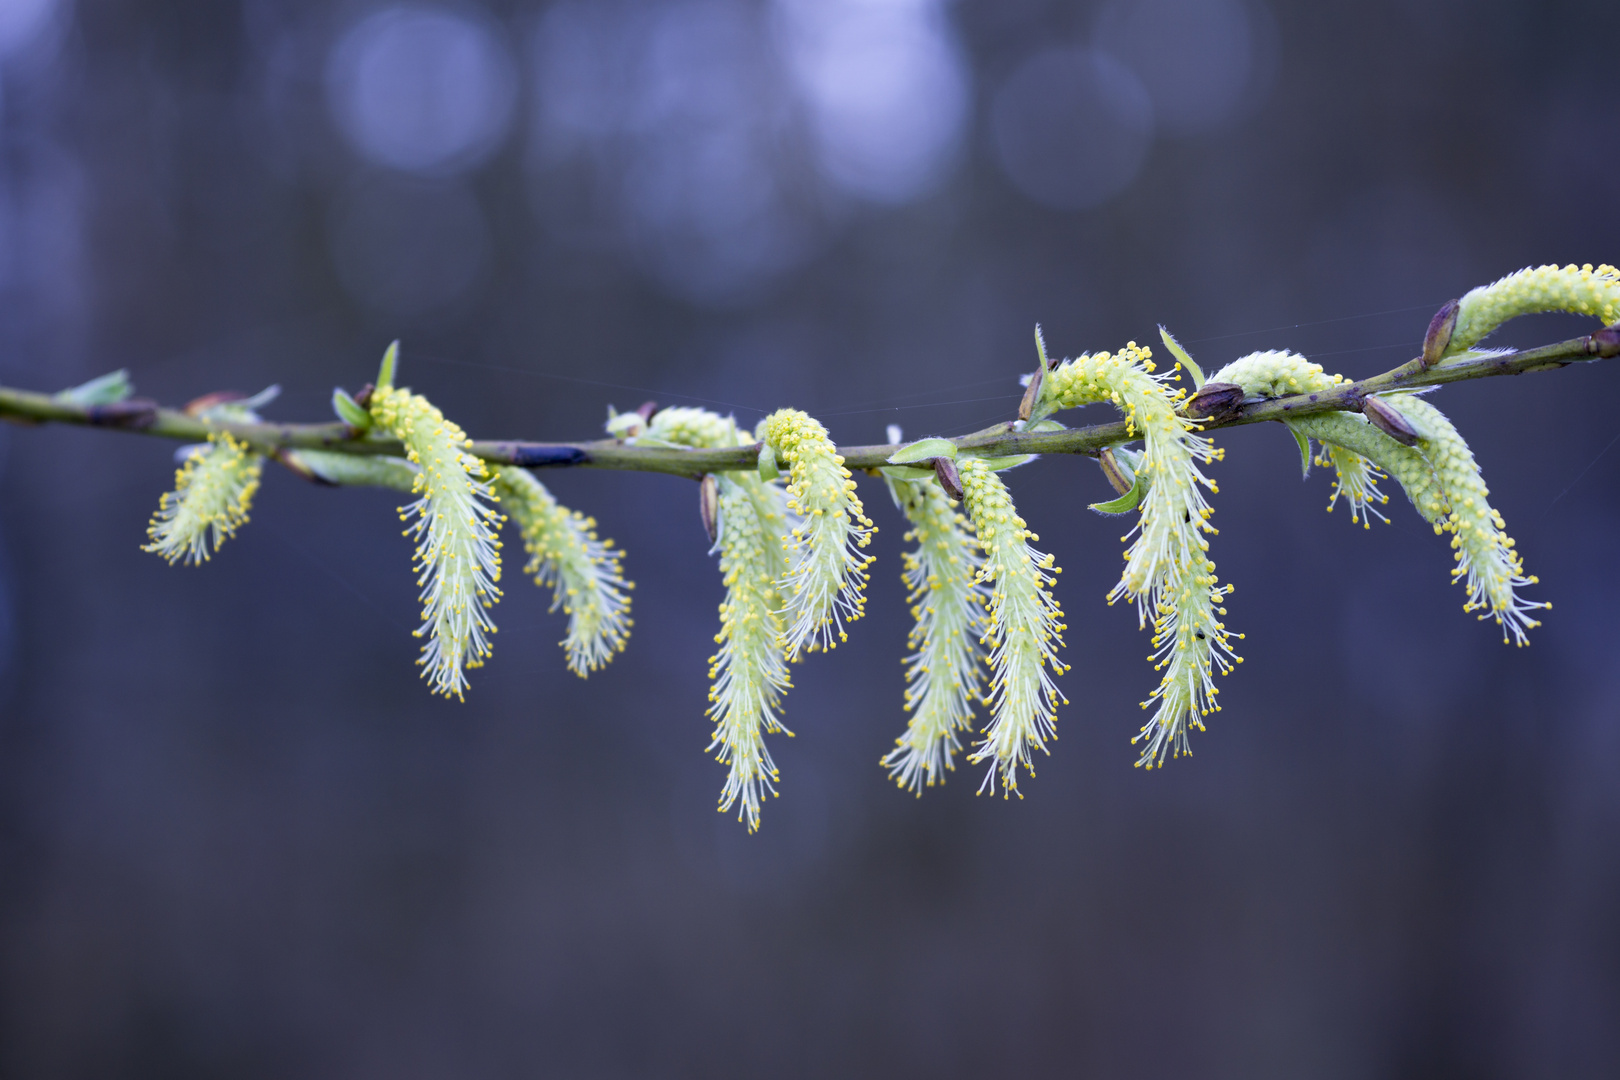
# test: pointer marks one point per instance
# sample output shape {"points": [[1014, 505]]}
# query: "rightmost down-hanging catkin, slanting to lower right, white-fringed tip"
{"points": [[1486, 558]]}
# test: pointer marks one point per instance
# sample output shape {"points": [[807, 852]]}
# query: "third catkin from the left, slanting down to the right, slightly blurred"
{"points": [[582, 571]]}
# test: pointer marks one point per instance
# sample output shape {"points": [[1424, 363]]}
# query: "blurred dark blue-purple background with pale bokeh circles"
{"points": [[241, 840]]}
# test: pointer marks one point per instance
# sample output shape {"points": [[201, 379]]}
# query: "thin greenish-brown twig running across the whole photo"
{"points": [[148, 419]]}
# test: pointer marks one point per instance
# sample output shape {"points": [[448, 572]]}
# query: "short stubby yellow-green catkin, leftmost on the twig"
{"points": [[210, 503]]}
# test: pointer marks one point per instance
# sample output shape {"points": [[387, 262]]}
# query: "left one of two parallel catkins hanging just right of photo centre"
{"points": [[944, 673]]}
